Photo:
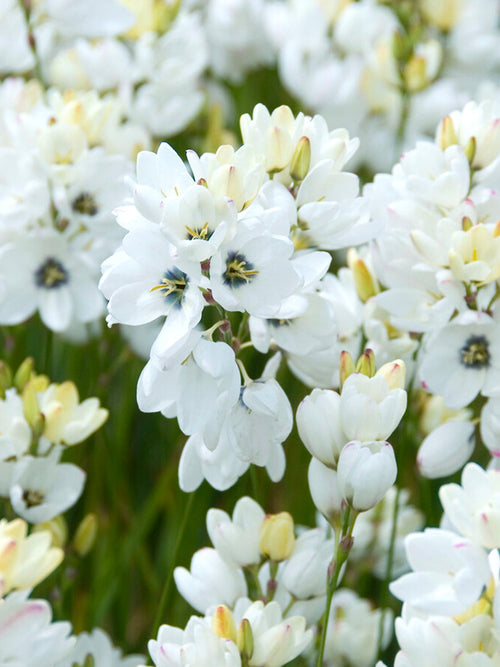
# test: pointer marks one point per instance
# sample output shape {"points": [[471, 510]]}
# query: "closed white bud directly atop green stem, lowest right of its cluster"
{"points": [[366, 471]]}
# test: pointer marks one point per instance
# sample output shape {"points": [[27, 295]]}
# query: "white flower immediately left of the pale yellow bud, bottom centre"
{"points": [[238, 540]]}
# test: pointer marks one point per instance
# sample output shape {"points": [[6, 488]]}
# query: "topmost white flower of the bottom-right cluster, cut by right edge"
{"points": [[473, 506]]}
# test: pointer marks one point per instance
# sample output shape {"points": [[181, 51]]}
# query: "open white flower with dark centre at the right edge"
{"points": [[463, 359]]}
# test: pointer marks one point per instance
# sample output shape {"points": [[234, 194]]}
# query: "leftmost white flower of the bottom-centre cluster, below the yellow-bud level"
{"points": [[211, 581]]}
